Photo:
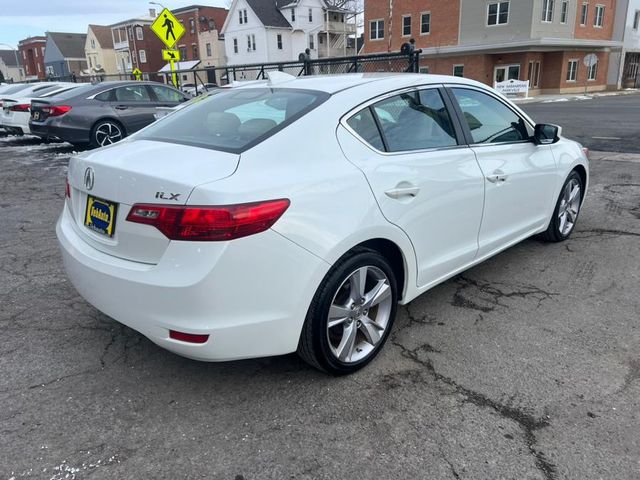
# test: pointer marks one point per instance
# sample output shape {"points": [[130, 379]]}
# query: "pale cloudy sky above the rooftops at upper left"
{"points": [[23, 18]]}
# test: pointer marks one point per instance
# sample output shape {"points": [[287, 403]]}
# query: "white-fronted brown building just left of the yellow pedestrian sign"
{"points": [[136, 46]]}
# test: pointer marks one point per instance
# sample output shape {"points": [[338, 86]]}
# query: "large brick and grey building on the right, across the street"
{"points": [[543, 41]]}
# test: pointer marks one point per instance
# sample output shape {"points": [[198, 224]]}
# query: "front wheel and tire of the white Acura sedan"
{"points": [[565, 214]]}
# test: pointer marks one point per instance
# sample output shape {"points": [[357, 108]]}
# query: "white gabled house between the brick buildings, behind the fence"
{"points": [[265, 31]]}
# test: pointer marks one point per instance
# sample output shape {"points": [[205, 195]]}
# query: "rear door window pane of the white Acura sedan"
{"points": [[409, 124]]}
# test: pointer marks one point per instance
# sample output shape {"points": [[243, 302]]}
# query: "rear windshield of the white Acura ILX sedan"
{"points": [[234, 120]]}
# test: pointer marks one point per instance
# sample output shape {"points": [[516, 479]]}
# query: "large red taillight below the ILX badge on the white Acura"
{"points": [[220, 223]]}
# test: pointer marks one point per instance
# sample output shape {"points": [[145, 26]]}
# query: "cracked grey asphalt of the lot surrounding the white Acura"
{"points": [[525, 367]]}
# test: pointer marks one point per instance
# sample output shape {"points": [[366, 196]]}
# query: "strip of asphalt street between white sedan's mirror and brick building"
{"points": [[609, 123]]}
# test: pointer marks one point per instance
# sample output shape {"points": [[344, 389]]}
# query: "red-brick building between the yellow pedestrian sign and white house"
{"points": [[202, 40]]}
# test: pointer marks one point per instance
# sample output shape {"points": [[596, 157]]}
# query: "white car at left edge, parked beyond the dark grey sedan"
{"points": [[16, 107]]}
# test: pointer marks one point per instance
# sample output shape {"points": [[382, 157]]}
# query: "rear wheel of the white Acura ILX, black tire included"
{"points": [[351, 314]]}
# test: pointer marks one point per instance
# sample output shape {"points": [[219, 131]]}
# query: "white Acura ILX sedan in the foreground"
{"points": [[294, 214]]}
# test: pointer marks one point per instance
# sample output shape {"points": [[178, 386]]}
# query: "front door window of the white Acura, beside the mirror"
{"points": [[489, 120]]}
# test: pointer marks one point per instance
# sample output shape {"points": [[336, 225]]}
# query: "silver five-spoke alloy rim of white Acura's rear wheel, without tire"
{"points": [[359, 314]]}
